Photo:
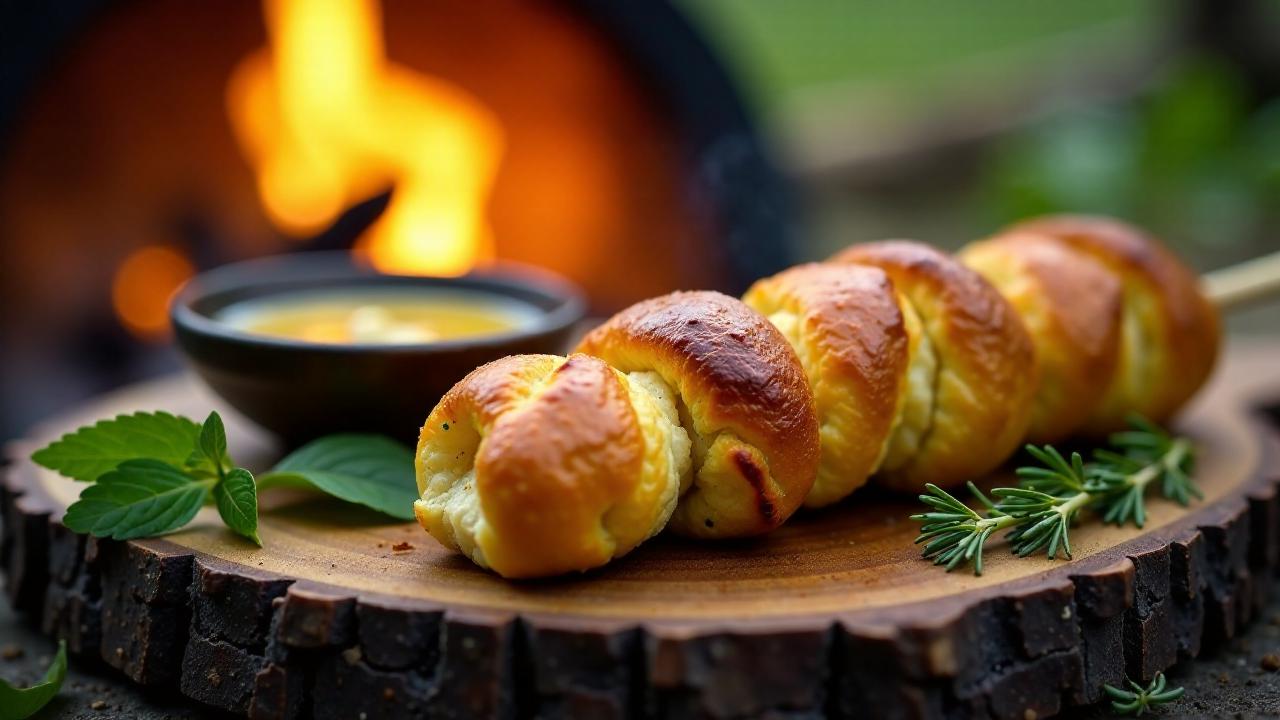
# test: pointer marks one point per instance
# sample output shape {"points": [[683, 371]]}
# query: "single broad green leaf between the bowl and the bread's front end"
{"points": [[372, 471]]}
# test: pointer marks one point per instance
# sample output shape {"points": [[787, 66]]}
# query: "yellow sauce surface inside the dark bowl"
{"points": [[387, 317]]}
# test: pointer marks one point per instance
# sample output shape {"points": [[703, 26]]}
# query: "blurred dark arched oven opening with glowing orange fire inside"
{"points": [[145, 140]]}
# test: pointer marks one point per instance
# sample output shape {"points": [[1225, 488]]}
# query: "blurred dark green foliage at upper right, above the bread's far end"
{"points": [[1188, 160]]}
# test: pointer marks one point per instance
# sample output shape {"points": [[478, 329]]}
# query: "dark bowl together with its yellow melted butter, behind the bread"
{"points": [[314, 344]]}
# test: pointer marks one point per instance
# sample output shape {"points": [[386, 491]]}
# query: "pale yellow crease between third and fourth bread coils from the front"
{"points": [[915, 414]]}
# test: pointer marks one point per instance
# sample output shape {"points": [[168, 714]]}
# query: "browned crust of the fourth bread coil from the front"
{"points": [[988, 371]]}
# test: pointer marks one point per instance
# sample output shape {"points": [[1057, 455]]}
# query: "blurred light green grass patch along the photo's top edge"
{"points": [[785, 47]]}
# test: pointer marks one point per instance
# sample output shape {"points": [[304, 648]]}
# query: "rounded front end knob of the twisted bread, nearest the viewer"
{"points": [[537, 466]]}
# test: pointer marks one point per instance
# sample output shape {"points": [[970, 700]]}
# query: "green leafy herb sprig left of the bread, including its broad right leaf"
{"points": [[153, 472]]}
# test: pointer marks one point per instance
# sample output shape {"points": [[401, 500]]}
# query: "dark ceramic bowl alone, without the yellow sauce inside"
{"points": [[304, 390]]}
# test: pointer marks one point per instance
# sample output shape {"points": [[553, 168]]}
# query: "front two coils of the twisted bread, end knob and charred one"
{"points": [[538, 466]]}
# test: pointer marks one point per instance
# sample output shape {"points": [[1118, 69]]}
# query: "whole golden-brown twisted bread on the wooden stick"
{"points": [[903, 363]]}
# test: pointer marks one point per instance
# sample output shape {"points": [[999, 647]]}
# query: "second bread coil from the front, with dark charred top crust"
{"points": [[744, 402]]}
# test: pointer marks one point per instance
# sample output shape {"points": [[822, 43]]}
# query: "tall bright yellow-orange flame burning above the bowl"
{"points": [[328, 121]]}
